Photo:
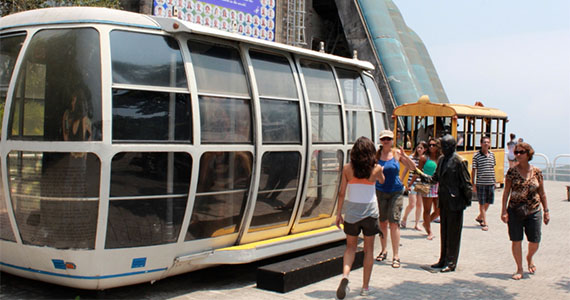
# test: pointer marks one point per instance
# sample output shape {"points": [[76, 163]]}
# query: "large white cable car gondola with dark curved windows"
{"points": [[135, 148]]}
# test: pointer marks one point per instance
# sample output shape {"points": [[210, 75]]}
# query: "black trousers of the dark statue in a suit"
{"points": [[451, 225]]}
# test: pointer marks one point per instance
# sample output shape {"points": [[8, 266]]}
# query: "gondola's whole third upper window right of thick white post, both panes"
{"points": [[281, 120]]}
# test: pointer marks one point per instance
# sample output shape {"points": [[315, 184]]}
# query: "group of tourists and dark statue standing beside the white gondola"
{"points": [[438, 179]]}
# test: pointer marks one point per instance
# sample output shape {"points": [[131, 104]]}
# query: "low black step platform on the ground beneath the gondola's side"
{"points": [[296, 272]]}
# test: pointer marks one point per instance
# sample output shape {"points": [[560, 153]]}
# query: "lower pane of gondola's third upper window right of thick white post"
{"points": [[281, 122]]}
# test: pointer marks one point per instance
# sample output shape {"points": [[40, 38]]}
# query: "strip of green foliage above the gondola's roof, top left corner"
{"points": [[13, 6]]}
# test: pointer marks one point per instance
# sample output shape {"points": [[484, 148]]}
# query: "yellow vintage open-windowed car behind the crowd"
{"points": [[415, 122]]}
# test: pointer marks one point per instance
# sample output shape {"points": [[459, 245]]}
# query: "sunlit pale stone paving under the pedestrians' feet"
{"points": [[484, 270]]}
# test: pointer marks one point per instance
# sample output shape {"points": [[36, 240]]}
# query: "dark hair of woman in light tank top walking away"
{"points": [[362, 157]]}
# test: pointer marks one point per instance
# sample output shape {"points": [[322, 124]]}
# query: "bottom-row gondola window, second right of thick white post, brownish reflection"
{"points": [[223, 188]]}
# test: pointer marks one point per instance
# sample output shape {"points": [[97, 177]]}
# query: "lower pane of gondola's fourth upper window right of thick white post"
{"points": [[326, 126]]}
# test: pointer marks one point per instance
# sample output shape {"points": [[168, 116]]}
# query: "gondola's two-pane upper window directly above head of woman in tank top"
{"points": [[358, 117]]}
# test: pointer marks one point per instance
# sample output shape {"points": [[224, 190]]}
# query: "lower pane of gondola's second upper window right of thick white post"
{"points": [[225, 120]]}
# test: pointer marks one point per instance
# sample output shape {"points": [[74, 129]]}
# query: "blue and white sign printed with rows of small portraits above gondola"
{"points": [[254, 18]]}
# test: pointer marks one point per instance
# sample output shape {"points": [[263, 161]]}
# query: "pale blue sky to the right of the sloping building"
{"points": [[509, 54]]}
